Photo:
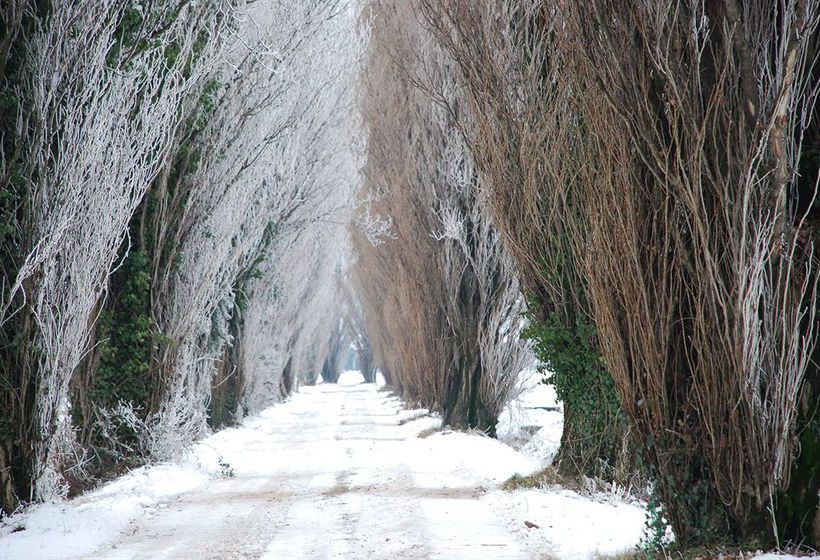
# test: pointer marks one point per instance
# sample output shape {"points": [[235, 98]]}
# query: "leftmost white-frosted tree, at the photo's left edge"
{"points": [[96, 104]]}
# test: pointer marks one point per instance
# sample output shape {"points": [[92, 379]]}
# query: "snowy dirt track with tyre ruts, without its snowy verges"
{"points": [[341, 475]]}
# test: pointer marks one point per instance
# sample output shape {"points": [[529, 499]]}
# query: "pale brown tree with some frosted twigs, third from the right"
{"points": [[436, 285]]}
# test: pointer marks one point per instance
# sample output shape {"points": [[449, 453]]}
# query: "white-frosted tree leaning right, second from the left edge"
{"points": [[272, 160]]}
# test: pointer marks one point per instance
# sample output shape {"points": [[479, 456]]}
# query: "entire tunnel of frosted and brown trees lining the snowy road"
{"points": [[205, 205]]}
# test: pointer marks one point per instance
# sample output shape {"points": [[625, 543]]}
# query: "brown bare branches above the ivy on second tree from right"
{"points": [[522, 133]]}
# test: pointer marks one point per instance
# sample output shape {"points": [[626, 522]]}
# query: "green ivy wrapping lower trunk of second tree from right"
{"points": [[572, 364]]}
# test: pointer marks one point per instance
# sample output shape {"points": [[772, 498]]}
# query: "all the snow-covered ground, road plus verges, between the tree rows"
{"points": [[337, 472]]}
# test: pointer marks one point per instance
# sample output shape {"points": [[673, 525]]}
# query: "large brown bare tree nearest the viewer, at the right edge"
{"points": [[701, 276]]}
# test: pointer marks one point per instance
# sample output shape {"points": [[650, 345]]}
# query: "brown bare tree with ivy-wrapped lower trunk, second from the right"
{"points": [[525, 137]]}
